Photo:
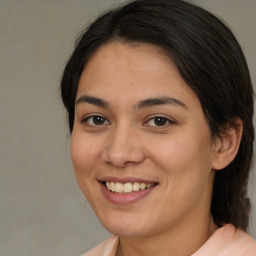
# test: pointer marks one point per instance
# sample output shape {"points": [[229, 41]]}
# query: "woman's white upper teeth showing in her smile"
{"points": [[127, 187]]}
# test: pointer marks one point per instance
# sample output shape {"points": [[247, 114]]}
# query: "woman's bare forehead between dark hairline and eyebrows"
{"points": [[134, 71]]}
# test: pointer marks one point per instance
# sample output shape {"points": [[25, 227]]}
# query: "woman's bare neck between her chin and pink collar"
{"points": [[179, 241]]}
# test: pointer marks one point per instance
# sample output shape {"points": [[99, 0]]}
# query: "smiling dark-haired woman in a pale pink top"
{"points": [[160, 106]]}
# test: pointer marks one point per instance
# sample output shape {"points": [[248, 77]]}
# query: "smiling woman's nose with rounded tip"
{"points": [[123, 148]]}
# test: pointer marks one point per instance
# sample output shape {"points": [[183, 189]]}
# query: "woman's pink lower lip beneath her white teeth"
{"points": [[125, 199]]}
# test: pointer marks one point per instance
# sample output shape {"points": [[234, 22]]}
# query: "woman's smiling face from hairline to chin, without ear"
{"points": [[141, 147]]}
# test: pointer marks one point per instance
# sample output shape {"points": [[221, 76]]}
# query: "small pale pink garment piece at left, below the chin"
{"points": [[106, 248]]}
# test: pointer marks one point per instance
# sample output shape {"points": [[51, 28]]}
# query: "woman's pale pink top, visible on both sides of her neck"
{"points": [[226, 240]]}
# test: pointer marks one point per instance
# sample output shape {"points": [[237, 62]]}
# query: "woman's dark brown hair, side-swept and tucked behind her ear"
{"points": [[209, 59]]}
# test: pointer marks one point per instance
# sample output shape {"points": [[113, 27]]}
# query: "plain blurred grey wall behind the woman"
{"points": [[42, 211]]}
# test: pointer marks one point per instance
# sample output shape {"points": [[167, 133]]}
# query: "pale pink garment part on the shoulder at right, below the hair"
{"points": [[228, 241]]}
